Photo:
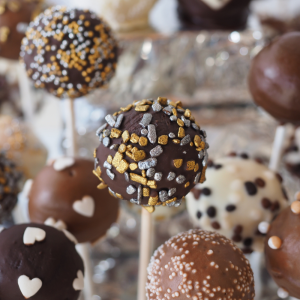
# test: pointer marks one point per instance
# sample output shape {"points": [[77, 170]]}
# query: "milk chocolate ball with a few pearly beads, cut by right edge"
{"points": [[282, 248]]}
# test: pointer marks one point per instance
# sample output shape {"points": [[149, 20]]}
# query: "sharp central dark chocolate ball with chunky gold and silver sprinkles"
{"points": [[151, 153]]}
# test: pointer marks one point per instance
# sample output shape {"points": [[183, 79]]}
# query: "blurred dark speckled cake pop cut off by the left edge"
{"points": [[9, 186]]}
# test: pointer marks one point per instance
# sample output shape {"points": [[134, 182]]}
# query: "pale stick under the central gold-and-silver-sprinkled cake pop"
{"points": [[145, 251]]}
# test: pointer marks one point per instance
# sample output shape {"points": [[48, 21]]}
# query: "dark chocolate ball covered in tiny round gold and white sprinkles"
{"points": [[69, 52]]}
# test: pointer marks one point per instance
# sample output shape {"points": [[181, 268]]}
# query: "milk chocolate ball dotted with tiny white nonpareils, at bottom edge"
{"points": [[199, 265]]}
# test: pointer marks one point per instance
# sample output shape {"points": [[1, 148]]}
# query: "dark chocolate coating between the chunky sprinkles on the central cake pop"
{"points": [[165, 161]]}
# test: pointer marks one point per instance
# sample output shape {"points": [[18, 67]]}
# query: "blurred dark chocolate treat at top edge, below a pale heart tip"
{"points": [[198, 14]]}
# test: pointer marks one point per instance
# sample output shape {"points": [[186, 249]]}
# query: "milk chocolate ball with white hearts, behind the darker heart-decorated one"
{"points": [[66, 190]]}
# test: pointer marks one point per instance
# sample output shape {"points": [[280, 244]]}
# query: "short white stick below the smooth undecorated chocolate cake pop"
{"points": [[277, 148]]}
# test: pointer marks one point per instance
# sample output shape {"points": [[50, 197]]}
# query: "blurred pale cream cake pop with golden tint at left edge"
{"points": [[22, 146]]}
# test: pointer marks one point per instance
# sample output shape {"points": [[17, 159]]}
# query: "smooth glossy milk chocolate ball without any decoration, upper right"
{"points": [[274, 78]]}
